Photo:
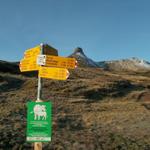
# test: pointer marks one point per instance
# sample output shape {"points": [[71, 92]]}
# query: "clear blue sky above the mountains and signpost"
{"points": [[105, 29]]}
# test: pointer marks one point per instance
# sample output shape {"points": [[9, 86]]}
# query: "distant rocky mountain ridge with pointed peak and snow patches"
{"points": [[130, 64]]}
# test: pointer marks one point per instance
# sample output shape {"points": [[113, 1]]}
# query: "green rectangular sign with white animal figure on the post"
{"points": [[39, 121]]}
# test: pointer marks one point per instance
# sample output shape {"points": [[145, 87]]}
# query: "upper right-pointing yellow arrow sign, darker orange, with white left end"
{"points": [[59, 62]]}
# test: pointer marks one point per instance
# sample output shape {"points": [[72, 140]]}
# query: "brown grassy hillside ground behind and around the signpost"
{"points": [[92, 110]]}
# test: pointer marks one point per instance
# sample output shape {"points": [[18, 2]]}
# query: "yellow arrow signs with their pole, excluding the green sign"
{"points": [[45, 60]]}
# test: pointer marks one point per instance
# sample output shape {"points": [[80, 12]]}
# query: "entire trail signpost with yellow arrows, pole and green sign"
{"points": [[45, 60]]}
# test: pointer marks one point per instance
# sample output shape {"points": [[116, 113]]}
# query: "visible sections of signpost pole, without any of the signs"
{"points": [[38, 145]]}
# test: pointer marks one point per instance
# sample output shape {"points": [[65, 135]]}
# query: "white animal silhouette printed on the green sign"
{"points": [[39, 112]]}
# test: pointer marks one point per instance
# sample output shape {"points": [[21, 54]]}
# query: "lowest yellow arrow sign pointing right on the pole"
{"points": [[53, 73]]}
